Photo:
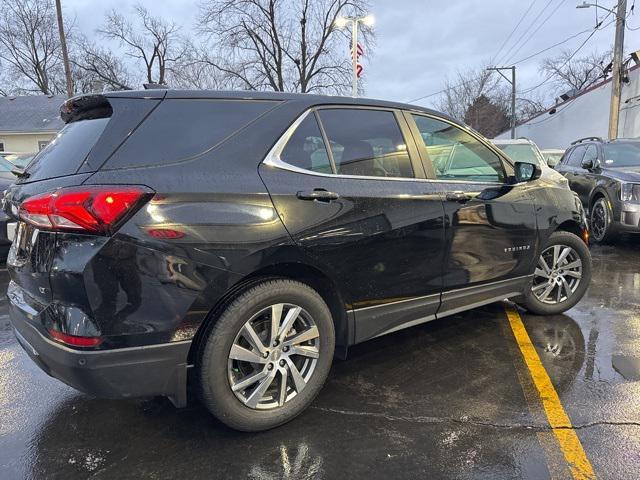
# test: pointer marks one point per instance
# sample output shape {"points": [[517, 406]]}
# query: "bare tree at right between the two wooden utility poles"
{"points": [[568, 73]]}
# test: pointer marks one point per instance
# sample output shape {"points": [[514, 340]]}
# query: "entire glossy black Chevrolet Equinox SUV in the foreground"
{"points": [[251, 236]]}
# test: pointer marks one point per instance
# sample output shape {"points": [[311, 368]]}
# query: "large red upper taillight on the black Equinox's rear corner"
{"points": [[91, 209]]}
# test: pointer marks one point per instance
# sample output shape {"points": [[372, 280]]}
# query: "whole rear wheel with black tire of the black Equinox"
{"points": [[220, 365]]}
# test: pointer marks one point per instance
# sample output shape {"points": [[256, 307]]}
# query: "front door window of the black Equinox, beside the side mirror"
{"points": [[456, 155]]}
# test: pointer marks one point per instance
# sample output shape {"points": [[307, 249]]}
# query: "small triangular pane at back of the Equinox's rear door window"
{"points": [[306, 149]]}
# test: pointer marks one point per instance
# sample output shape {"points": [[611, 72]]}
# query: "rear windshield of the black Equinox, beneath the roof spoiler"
{"points": [[66, 152]]}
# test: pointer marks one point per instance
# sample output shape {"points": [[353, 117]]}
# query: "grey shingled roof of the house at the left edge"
{"points": [[31, 114]]}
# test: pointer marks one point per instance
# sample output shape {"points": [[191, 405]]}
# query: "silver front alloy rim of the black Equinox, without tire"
{"points": [[557, 275]]}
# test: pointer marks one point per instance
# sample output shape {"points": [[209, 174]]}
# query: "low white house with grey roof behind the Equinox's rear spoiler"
{"points": [[28, 123]]}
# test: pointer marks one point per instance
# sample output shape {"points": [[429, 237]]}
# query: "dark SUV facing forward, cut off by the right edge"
{"points": [[606, 177]]}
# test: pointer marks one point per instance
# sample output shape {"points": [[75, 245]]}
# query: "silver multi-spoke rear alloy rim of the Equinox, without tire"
{"points": [[273, 356]]}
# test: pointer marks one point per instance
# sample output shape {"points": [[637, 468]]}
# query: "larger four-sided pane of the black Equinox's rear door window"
{"points": [[366, 142]]}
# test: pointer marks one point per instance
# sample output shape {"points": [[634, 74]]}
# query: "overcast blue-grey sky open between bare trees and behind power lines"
{"points": [[421, 42]]}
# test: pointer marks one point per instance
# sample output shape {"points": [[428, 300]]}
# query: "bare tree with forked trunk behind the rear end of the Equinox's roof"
{"points": [[151, 40]]}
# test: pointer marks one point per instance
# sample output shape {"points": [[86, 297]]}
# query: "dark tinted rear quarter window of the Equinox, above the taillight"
{"points": [[179, 130]]}
